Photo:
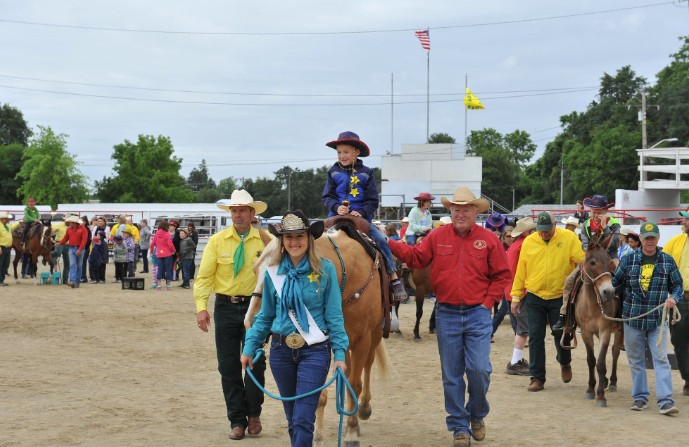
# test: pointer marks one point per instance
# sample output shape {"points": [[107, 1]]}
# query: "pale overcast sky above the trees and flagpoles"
{"points": [[254, 86]]}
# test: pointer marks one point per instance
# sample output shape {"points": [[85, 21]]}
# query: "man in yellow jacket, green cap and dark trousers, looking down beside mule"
{"points": [[547, 258]]}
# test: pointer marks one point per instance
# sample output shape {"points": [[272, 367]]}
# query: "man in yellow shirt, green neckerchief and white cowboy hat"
{"points": [[226, 269]]}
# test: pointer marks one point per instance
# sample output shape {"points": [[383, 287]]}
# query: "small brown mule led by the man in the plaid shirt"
{"points": [[594, 301]]}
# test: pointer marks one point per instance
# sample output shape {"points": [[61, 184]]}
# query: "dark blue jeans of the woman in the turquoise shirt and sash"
{"points": [[297, 371]]}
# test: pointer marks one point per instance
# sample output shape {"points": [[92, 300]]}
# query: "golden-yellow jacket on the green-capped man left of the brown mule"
{"points": [[543, 268]]}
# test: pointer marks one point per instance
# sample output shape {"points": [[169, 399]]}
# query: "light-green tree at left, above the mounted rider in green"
{"points": [[49, 172]]}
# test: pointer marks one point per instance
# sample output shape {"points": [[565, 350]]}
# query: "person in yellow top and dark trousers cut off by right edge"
{"points": [[678, 248]]}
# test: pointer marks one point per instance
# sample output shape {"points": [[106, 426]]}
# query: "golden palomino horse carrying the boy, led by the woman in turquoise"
{"points": [[363, 314]]}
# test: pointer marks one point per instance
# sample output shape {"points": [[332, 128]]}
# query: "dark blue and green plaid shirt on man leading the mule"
{"points": [[665, 280]]}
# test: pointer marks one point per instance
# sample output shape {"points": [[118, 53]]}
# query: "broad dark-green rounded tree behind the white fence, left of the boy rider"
{"points": [[145, 171]]}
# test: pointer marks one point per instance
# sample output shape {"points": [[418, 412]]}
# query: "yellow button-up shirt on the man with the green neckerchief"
{"points": [[216, 273]]}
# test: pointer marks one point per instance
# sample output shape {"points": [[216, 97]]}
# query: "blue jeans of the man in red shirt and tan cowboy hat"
{"points": [[464, 346]]}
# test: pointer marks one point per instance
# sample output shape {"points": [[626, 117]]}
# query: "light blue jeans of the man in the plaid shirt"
{"points": [[635, 342]]}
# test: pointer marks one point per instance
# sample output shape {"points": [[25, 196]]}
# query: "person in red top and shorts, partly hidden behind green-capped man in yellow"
{"points": [[518, 316]]}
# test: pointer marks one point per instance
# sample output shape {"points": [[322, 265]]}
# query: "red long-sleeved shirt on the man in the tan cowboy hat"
{"points": [[465, 270]]}
